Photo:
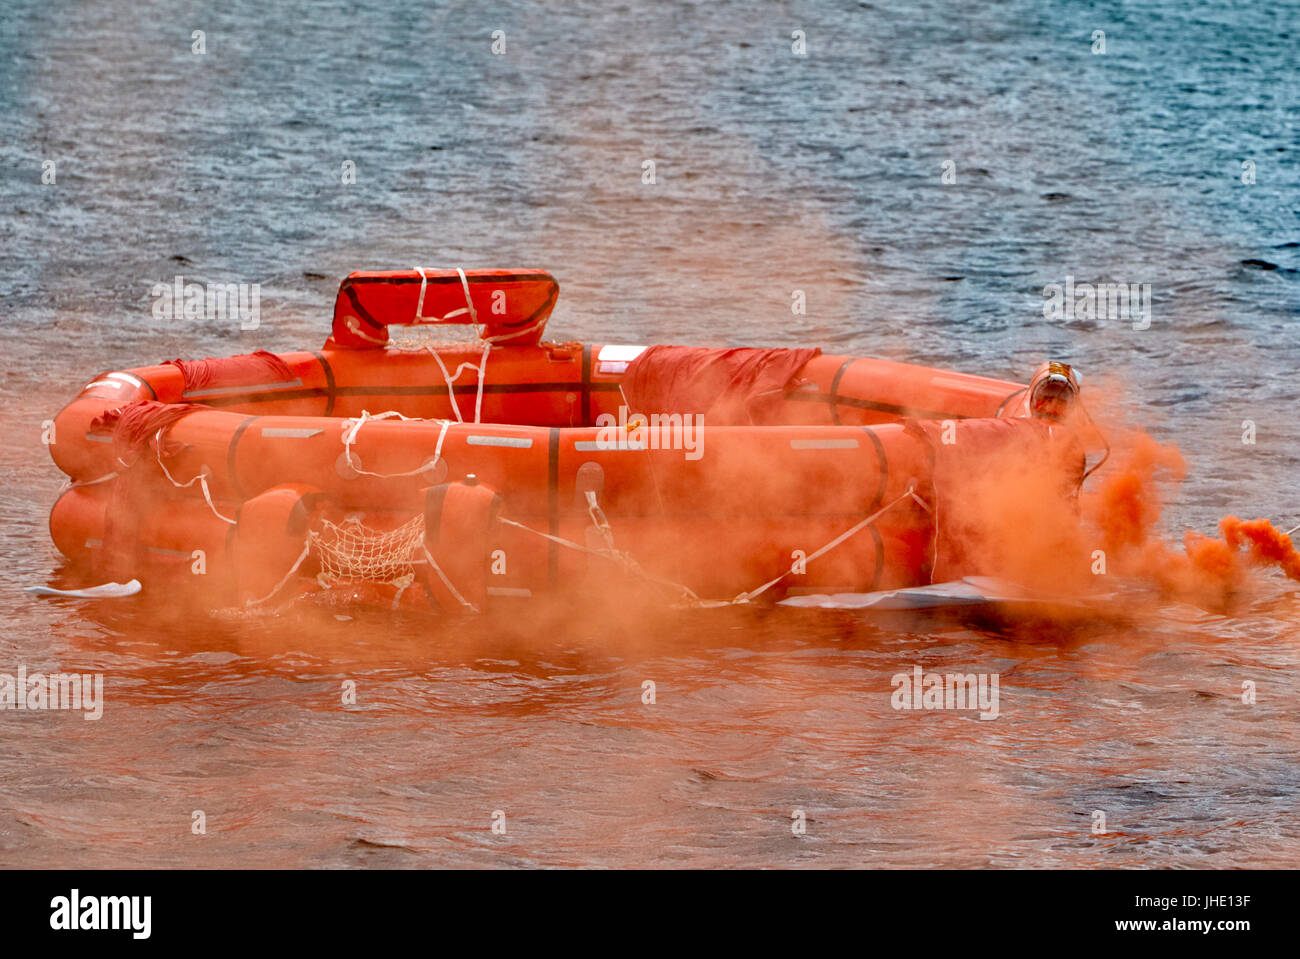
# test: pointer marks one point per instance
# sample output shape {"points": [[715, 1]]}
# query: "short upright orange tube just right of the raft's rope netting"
{"points": [[458, 523]]}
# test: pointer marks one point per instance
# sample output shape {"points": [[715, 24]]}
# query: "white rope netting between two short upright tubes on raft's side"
{"points": [[353, 553]]}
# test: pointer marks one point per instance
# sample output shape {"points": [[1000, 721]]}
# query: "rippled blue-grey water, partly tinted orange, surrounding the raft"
{"points": [[775, 173]]}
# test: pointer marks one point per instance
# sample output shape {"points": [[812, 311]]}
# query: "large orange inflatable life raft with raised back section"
{"points": [[505, 467]]}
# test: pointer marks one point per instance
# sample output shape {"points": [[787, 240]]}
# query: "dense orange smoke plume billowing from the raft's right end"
{"points": [[1008, 514]]}
